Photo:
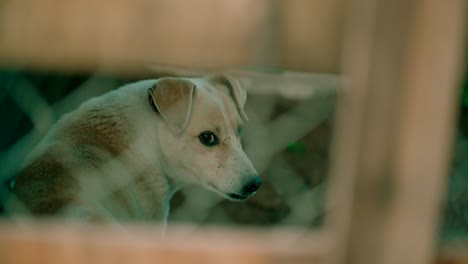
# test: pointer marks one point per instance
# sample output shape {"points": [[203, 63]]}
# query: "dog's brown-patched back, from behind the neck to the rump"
{"points": [[98, 132]]}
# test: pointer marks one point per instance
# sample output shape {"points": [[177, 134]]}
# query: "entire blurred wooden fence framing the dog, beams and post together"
{"points": [[401, 62]]}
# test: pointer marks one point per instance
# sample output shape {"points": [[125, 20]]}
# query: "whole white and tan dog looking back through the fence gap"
{"points": [[122, 156]]}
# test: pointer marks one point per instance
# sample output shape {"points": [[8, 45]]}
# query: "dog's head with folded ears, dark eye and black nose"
{"points": [[200, 134]]}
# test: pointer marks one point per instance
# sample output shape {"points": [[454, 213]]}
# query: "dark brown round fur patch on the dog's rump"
{"points": [[45, 185]]}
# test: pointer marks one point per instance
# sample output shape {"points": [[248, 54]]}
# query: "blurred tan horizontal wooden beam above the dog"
{"points": [[82, 35]]}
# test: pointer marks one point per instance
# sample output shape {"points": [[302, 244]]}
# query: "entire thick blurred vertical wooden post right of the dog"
{"points": [[394, 129]]}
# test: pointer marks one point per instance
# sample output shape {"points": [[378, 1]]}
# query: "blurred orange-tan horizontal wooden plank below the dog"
{"points": [[27, 242]]}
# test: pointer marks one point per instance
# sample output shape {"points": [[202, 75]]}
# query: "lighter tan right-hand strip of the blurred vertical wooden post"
{"points": [[427, 127]]}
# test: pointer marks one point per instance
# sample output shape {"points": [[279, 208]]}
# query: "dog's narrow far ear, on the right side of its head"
{"points": [[237, 91]]}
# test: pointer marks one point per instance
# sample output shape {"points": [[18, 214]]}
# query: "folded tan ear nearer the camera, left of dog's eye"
{"points": [[172, 98]]}
